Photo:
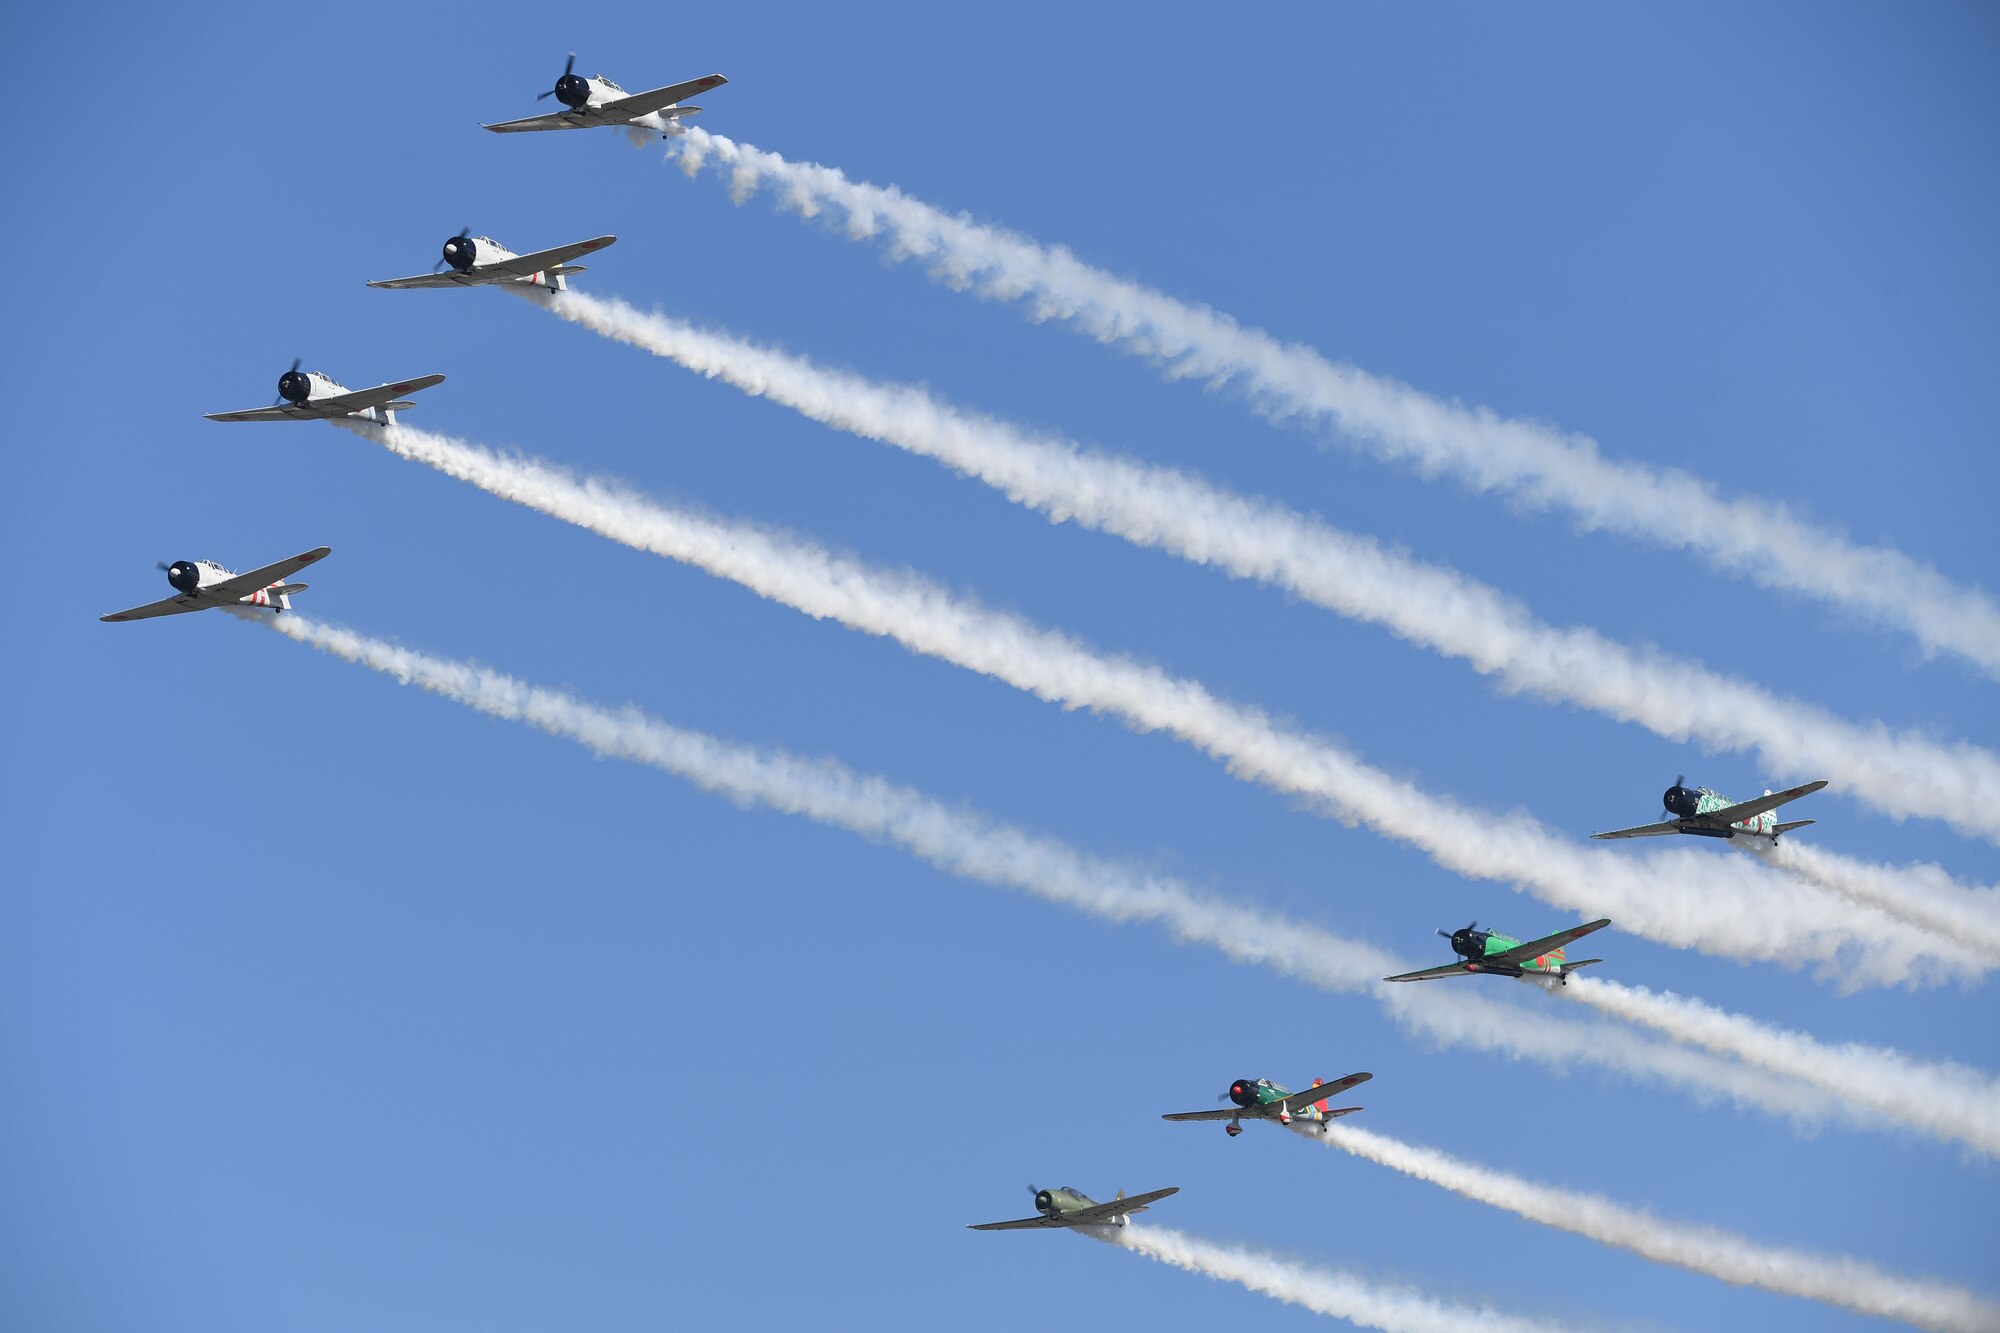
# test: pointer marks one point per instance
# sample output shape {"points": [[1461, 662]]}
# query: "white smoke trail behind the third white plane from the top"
{"points": [[1683, 898]]}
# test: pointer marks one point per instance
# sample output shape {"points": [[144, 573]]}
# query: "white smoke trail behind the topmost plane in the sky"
{"points": [[1529, 463]]}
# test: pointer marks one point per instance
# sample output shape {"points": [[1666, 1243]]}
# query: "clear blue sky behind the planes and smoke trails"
{"points": [[333, 1006]]}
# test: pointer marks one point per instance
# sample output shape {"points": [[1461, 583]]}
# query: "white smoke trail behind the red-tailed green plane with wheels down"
{"points": [[1849, 1284]]}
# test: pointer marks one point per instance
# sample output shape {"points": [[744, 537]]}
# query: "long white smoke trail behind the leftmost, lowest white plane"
{"points": [[973, 846]]}
